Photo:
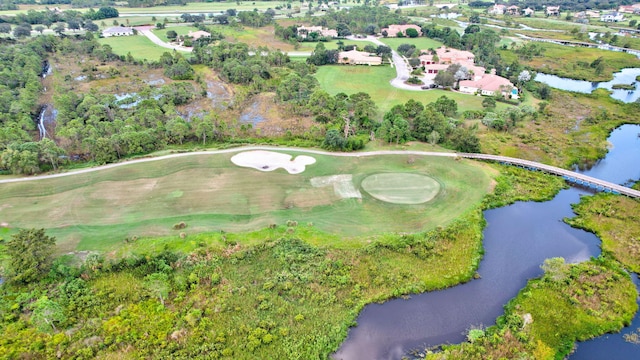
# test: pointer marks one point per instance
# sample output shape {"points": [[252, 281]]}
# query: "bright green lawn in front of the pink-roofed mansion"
{"points": [[374, 80]]}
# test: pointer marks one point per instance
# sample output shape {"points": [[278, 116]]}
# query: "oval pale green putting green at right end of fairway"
{"points": [[401, 188]]}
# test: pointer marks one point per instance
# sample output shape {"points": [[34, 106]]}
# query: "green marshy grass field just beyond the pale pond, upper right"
{"points": [[573, 62]]}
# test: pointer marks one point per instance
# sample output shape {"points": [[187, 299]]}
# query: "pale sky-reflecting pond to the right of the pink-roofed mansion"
{"points": [[626, 76]]}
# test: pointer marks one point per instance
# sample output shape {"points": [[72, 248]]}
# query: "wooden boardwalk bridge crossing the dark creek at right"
{"points": [[568, 175]]}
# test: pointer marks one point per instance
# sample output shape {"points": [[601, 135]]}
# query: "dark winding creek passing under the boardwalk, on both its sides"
{"points": [[517, 240]]}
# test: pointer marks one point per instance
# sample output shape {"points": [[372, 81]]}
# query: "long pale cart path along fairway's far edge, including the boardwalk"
{"points": [[547, 168]]}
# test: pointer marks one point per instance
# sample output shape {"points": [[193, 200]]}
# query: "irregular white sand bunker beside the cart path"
{"points": [[269, 160]]}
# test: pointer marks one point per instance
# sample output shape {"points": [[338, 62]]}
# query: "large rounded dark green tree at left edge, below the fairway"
{"points": [[30, 253]]}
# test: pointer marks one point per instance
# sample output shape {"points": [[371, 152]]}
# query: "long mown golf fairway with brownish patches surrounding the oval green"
{"points": [[98, 210]]}
